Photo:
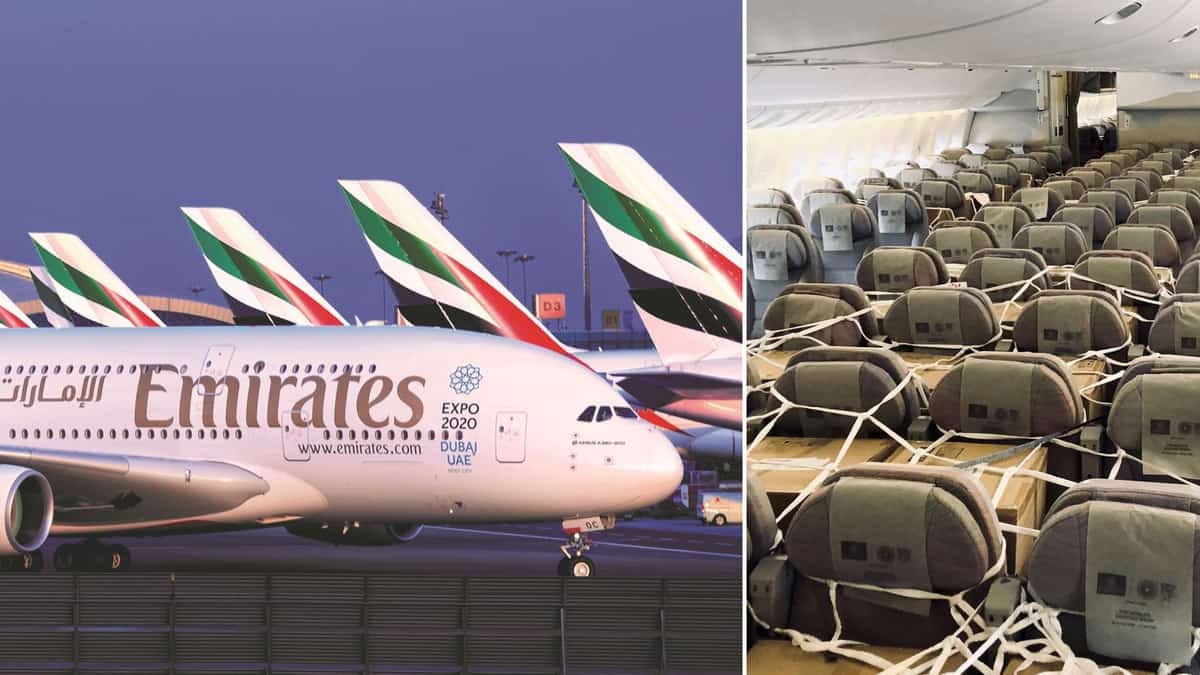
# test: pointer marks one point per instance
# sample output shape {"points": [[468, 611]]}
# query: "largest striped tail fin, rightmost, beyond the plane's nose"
{"points": [[685, 278]]}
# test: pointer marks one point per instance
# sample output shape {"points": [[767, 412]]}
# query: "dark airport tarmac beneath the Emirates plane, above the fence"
{"points": [[680, 547]]}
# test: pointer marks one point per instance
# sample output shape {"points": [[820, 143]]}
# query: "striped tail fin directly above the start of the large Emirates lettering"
{"points": [[260, 285]]}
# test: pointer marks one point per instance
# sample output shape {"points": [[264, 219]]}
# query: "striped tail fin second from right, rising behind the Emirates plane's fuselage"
{"points": [[437, 282]]}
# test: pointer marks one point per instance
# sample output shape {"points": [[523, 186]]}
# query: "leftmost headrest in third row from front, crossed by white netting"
{"points": [[803, 304]]}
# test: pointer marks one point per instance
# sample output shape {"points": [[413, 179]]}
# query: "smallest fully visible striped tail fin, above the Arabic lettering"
{"points": [[93, 294]]}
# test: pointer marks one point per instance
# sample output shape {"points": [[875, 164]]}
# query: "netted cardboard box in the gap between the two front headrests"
{"points": [[1024, 500]]}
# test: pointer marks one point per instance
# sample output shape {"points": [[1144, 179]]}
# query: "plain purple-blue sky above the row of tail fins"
{"points": [[117, 114]]}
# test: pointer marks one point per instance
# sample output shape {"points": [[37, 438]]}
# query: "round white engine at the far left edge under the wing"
{"points": [[28, 510]]}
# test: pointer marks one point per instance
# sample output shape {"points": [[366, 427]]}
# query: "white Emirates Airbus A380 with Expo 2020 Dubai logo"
{"points": [[325, 431]]}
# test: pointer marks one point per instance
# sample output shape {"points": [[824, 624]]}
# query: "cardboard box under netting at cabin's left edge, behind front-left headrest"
{"points": [[809, 457]]}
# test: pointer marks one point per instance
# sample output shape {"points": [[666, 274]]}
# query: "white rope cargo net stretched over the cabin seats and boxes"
{"points": [[971, 646]]}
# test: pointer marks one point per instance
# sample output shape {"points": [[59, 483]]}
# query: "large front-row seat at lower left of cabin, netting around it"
{"points": [[944, 513]]}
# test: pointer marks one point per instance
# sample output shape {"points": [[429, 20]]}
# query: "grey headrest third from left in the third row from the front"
{"points": [[1069, 324]]}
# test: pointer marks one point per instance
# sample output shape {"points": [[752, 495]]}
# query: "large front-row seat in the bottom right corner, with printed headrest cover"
{"points": [[1088, 531]]}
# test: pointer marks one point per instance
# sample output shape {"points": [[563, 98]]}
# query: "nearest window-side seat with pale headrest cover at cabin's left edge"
{"points": [[778, 255]]}
